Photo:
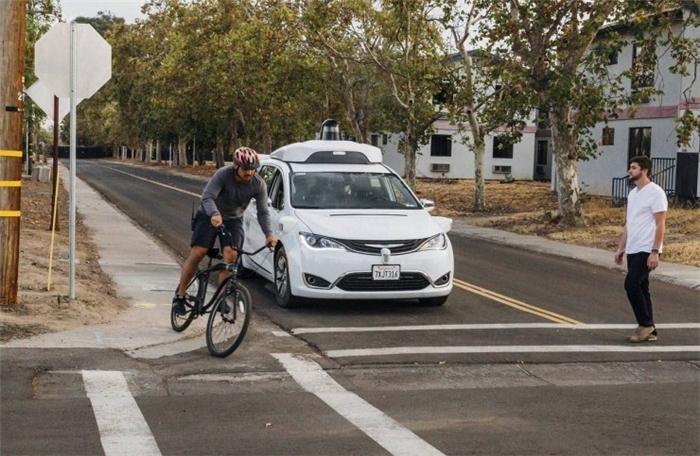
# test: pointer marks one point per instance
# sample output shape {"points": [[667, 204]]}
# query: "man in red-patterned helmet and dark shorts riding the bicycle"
{"points": [[225, 198]]}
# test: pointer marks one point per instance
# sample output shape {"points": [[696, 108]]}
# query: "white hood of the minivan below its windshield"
{"points": [[371, 225]]}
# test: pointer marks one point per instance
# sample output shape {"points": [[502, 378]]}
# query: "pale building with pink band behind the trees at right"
{"points": [[651, 131]]}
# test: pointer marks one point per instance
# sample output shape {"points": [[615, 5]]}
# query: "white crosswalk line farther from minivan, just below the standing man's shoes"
{"points": [[446, 350]]}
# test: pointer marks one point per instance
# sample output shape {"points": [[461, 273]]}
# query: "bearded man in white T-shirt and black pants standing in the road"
{"points": [[642, 240]]}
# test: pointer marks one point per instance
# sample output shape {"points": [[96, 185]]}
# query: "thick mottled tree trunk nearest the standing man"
{"points": [[565, 155]]}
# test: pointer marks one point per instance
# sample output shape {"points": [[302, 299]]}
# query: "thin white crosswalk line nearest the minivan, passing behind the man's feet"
{"points": [[477, 326]]}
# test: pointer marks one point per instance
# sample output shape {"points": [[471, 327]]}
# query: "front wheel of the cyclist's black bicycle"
{"points": [[228, 321]]}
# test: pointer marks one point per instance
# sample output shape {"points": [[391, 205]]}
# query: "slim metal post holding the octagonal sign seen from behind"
{"points": [[73, 120]]}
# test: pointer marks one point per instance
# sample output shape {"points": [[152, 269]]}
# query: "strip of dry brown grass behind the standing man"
{"points": [[531, 208]]}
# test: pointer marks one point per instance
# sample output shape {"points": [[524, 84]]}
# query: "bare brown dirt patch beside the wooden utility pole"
{"points": [[39, 311]]}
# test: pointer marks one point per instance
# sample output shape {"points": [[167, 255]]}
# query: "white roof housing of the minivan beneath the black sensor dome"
{"points": [[322, 151]]}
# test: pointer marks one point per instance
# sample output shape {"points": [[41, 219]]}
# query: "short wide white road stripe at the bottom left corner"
{"points": [[123, 429]]}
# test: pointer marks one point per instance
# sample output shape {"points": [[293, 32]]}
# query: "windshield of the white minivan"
{"points": [[335, 190]]}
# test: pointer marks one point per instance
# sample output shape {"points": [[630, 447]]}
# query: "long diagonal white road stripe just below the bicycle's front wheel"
{"points": [[378, 426]]}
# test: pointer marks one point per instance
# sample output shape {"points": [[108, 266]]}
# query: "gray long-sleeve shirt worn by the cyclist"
{"points": [[226, 196]]}
